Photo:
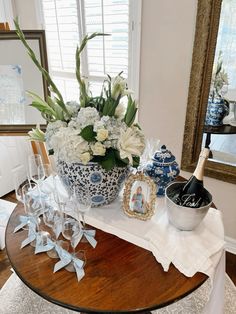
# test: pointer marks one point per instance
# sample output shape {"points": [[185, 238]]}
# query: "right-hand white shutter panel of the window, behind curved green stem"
{"points": [[108, 54]]}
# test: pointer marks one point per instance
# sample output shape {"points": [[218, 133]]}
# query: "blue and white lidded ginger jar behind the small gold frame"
{"points": [[163, 169]]}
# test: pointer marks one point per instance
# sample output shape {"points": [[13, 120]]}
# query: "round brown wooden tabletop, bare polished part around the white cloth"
{"points": [[119, 277]]}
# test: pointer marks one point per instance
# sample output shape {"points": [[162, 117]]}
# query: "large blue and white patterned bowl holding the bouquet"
{"points": [[103, 186]]}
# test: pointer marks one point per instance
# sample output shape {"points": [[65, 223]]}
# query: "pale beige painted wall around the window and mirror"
{"points": [[168, 28]]}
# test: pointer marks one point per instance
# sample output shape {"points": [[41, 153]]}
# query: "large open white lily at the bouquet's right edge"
{"points": [[131, 143]]}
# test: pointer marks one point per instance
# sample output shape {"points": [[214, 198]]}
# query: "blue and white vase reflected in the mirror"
{"points": [[216, 111]]}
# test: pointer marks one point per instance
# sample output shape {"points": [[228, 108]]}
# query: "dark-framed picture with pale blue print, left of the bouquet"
{"points": [[18, 74]]}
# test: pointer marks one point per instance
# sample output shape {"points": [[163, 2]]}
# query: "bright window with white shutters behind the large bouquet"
{"points": [[67, 21]]}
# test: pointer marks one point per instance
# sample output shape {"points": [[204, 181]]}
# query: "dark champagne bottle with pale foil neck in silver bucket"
{"points": [[191, 194]]}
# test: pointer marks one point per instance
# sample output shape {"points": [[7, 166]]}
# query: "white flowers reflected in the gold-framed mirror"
{"points": [[219, 78]]}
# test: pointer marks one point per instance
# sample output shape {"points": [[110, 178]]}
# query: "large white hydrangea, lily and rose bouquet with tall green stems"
{"points": [[99, 129]]}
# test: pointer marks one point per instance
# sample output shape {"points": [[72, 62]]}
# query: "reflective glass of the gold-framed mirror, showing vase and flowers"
{"points": [[220, 122]]}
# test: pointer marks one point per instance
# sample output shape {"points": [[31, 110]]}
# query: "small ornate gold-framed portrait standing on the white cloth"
{"points": [[139, 196]]}
